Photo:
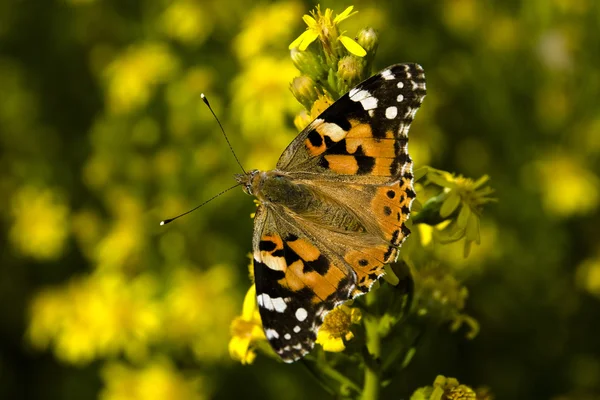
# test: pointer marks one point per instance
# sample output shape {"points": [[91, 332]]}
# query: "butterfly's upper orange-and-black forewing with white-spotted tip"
{"points": [[365, 132]]}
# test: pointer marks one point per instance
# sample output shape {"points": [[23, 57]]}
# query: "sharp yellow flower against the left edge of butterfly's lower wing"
{"points": [[246, 330]]}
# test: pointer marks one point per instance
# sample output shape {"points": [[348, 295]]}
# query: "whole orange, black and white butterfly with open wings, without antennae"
{"points": [[334, 210]]}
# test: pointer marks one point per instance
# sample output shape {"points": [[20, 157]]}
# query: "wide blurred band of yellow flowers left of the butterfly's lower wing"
{"points": [[107, 314]]}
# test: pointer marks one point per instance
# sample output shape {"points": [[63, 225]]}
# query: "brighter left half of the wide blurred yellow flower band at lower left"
{"points": [[96, 316]]}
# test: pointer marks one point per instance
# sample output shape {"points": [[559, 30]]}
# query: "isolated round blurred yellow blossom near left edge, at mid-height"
{"points": [[40, 226]]}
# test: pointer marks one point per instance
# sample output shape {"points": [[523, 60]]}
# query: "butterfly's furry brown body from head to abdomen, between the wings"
{"points": [[277, 189]]}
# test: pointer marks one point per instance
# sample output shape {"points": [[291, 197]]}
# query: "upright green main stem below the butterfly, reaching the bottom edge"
{"points": [[372, 371]]}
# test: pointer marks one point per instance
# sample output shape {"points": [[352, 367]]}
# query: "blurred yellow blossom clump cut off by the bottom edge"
{"points": [[157, 380]]}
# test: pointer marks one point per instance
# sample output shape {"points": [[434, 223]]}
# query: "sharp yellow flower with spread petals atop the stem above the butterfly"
{"points": [[324, 27]]}
